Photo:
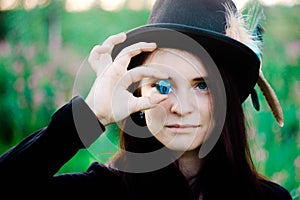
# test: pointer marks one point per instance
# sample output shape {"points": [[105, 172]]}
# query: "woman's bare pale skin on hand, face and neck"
{"points": [[180, 119]]}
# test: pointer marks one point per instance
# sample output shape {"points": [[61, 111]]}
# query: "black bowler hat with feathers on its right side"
{"points": [[219, 27]]}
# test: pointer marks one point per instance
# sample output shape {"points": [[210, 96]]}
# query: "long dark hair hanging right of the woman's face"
{"points": [[228, 170]]}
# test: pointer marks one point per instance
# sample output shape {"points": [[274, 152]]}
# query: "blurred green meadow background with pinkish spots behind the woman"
{"points": [[42, 64]]}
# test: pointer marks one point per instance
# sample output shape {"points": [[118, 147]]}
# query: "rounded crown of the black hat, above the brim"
{"points": [[204, 14]]}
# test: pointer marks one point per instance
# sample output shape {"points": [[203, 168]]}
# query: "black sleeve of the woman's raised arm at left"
{"points": [[35, 160]]}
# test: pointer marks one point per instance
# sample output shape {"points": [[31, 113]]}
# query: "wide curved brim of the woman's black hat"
{"points": [[241, 63]]}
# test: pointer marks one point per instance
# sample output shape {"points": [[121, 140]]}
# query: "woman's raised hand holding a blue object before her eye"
{"points": [[109, 98]]}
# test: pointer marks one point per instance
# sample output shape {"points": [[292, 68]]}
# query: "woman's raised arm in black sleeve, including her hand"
{"points": [[34, 162]]}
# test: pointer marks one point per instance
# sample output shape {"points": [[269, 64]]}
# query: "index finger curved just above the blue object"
{"points": [[137, 74]]}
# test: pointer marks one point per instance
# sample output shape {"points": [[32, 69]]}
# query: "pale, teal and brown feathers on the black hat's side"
{"points": [[252, 37]]}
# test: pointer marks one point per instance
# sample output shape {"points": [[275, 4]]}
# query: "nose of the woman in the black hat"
{"points": [[183, 103]]}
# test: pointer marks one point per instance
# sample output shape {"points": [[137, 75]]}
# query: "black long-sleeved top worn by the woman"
{"points": [[29, 169]]}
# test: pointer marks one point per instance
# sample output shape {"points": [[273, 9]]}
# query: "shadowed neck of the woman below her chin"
{"points": [[190, 165]]}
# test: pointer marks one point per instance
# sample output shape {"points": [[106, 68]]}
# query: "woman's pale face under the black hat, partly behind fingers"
{"points": [[182, 121]]}
